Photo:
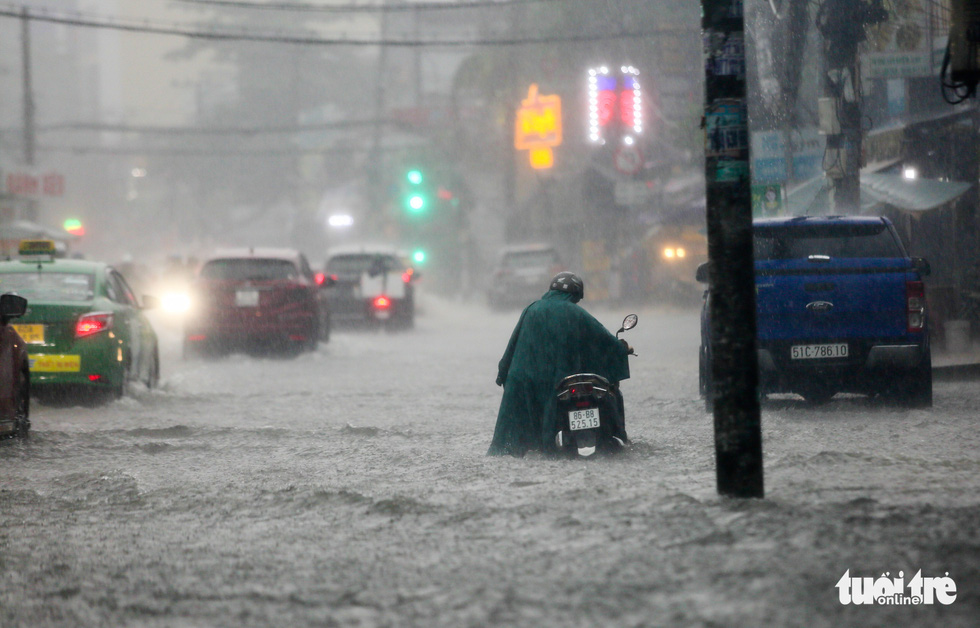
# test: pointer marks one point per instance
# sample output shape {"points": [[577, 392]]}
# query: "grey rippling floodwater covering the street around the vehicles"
{"points": [[350, 487]]}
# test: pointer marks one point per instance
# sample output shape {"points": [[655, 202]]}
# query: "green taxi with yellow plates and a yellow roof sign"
{"points": [[83, 326]]}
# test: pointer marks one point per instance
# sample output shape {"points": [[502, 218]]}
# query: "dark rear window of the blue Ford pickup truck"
{"points": [[841, 240]]}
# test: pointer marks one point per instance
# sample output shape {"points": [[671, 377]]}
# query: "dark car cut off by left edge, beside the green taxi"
{"points": [[15, 377]]}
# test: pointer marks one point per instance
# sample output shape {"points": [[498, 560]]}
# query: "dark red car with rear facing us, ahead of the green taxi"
{"points": [[249, 299]]}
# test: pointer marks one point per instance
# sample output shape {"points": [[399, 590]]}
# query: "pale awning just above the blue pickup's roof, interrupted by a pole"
{"points": [[877, 189]]}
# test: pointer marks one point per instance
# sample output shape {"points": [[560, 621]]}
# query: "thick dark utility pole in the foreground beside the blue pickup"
{"points": [[734, 361]]}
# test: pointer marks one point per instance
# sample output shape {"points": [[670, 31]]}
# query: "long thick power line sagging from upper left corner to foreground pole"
{"points": [[244, 35]]}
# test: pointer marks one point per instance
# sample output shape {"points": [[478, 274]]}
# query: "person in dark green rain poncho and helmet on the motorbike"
{"points": [[554, 338]]}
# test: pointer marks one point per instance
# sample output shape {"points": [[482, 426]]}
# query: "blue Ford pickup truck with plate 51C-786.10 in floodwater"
{"points": [[840, 307]]}
